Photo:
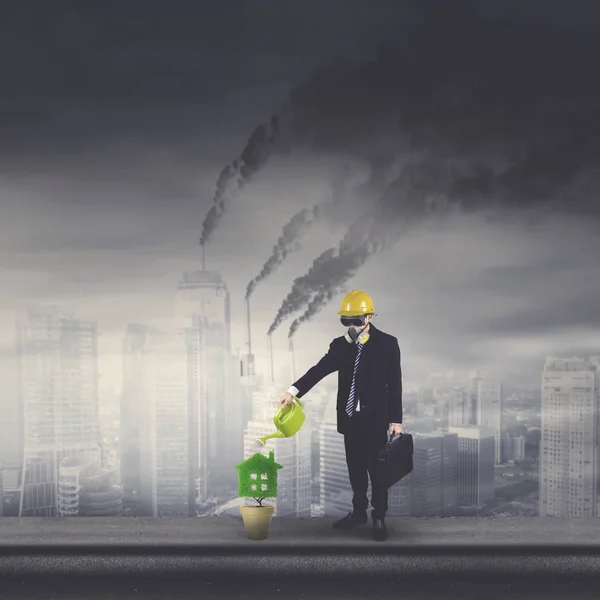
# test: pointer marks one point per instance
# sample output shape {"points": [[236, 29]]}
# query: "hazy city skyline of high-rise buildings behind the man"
{"points": [[191, 408]]}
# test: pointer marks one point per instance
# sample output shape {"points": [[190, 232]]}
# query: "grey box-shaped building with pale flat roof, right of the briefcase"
{"points": [[476, 458]]}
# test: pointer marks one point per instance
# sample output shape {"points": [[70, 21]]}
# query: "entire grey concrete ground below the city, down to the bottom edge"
{"points": [[303, 558]]}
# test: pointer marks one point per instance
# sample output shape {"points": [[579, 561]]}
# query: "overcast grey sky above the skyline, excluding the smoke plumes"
{"points": [[119, 118]]}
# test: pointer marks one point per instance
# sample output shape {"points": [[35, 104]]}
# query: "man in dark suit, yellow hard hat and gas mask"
{"points": [[369, 402]]}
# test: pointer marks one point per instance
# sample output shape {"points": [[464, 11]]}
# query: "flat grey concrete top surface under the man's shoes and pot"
{"points": [[217, 535]]}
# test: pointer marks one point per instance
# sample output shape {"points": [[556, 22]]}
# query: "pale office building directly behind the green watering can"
{"points": [[293, 453]]}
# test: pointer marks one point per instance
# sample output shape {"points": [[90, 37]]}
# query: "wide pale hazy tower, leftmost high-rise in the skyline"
{"points": [[59, 392]]}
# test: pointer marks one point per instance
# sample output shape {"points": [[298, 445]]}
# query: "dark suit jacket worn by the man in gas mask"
{"points": [[378, 381]]}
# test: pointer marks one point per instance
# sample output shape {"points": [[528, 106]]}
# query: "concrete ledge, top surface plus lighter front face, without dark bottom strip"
{"points": [[217, 547]]}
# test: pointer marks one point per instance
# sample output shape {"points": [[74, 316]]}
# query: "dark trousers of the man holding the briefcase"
{"points": [[363, 444]]}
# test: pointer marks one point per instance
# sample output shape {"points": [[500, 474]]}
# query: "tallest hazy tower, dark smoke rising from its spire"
{"points": [[202, 311]]}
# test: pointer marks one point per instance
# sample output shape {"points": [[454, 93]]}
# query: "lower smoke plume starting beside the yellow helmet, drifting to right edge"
{"points": [[405, 202]]}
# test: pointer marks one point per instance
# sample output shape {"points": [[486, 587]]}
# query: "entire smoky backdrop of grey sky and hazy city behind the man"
{"points": [[186, 195]]}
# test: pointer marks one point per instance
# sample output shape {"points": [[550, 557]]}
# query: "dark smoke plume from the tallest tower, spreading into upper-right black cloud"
{"points": [[491, 92]]}
